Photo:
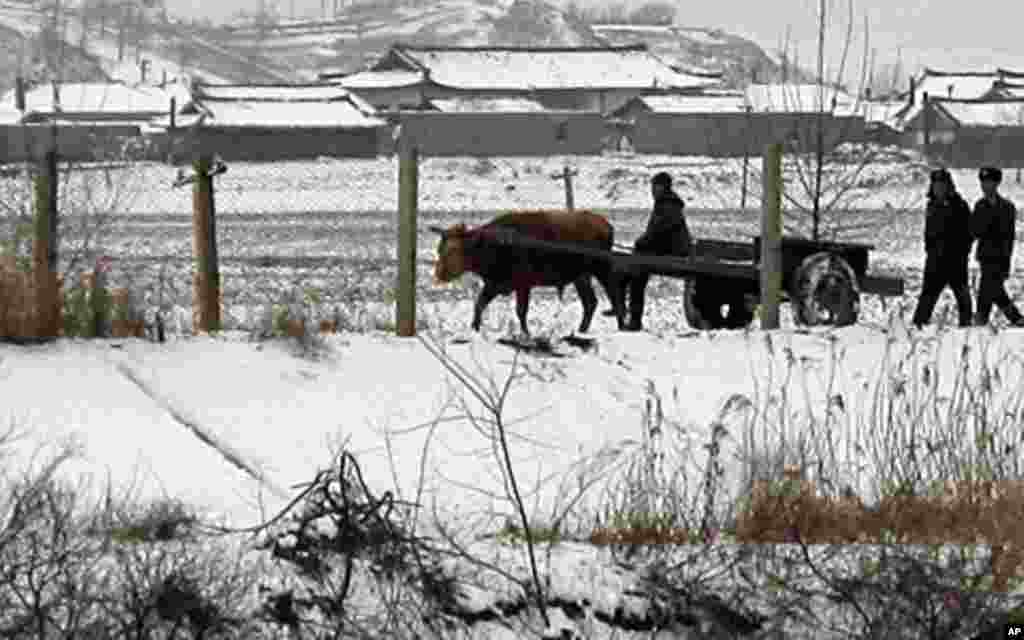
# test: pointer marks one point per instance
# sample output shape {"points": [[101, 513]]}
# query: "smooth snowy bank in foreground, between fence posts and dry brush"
{"points": [[282, 415]]}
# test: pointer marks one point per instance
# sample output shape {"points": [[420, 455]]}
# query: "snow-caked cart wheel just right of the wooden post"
{"points": [[826, 292]]}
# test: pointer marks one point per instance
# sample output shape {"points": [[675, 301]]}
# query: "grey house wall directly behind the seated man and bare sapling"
{"points": [[733, 136]]}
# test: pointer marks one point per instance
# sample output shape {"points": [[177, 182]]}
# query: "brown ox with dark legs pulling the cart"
{"points": [[506, 268]]}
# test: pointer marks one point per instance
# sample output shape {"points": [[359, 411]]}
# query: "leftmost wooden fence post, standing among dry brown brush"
{"points": [[45, 248]]}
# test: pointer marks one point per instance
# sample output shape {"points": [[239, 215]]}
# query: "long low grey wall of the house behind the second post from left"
{"points": [[254, 145]]}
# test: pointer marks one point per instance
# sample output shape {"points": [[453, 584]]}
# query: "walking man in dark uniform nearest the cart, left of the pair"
{"points": [[948, 247]]}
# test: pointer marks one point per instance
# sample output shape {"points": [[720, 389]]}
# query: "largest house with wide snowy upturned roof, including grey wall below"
{"points": [[511, 101]]}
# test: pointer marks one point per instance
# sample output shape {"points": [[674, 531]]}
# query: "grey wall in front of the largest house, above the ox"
{"points": [[504, 135]]}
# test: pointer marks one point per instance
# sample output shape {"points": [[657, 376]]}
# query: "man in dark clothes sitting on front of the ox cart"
{"points": [[667, 235]]}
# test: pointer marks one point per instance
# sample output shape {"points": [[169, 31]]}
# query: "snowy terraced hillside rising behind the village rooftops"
{"points": [[277, 51]]}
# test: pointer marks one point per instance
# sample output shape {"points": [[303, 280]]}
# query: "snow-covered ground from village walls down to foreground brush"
{"points": [[231, 424]]}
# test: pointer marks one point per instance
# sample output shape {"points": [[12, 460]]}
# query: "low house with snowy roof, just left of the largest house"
{"points": [[273, 122]]}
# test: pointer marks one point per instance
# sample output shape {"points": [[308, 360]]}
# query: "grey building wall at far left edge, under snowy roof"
{"points": [[75, 143]]}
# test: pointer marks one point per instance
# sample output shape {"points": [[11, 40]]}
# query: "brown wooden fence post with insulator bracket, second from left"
{"points": [[206, 282]]}
